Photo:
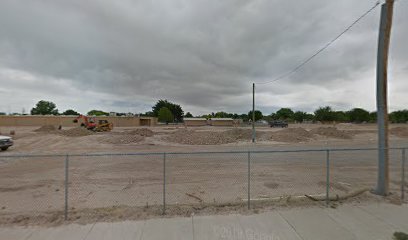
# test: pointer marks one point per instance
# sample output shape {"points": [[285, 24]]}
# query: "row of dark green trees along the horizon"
{"points": [[167, 111]]}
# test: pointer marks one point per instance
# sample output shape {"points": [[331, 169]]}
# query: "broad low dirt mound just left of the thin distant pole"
{"points": [[192, 137]]}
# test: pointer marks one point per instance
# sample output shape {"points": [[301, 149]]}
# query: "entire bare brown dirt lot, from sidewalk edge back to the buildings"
{"points": [[32, 189]]}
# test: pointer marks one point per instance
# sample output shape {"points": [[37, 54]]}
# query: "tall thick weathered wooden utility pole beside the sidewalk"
{"points": [[382, 106]]}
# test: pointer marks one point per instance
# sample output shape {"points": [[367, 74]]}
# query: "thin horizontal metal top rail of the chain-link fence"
{"points": [[196, 152]]}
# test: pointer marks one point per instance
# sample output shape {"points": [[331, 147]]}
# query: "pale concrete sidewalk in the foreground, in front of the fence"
{"points": [[371, 222]]}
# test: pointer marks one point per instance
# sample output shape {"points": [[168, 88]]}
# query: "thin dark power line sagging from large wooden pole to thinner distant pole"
{"points": [[323, 48]]}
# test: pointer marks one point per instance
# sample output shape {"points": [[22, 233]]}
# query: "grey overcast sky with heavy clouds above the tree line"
{"points": [[204, 55]]}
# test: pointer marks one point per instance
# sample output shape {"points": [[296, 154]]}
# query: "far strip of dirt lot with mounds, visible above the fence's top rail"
{"points": [[179, 138]]}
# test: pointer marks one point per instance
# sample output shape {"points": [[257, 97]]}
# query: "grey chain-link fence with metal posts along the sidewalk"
{"points": [[66, 185]]}
